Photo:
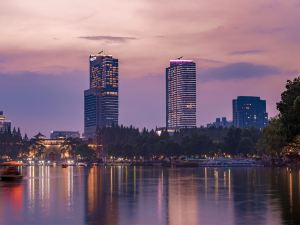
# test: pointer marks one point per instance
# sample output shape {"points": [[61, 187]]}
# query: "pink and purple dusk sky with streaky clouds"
{"points": [[241, 47]]}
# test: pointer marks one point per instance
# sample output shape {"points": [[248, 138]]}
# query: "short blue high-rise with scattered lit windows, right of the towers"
{"points": [[249, 111]]}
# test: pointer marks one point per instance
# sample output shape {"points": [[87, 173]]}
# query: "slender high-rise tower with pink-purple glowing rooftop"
{"points": [[181, 94]]}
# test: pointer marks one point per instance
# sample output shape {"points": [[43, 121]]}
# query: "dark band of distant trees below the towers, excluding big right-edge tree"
{"points": [[129, 142]]}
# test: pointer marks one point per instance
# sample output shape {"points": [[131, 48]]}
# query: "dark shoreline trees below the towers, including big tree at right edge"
{"points": [[282, 135]]}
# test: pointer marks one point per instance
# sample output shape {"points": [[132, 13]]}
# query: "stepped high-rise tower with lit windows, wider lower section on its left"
{"points": [[101, 100]]}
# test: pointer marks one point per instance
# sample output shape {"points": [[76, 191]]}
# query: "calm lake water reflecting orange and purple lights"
{"points": [[152, 196]]}
